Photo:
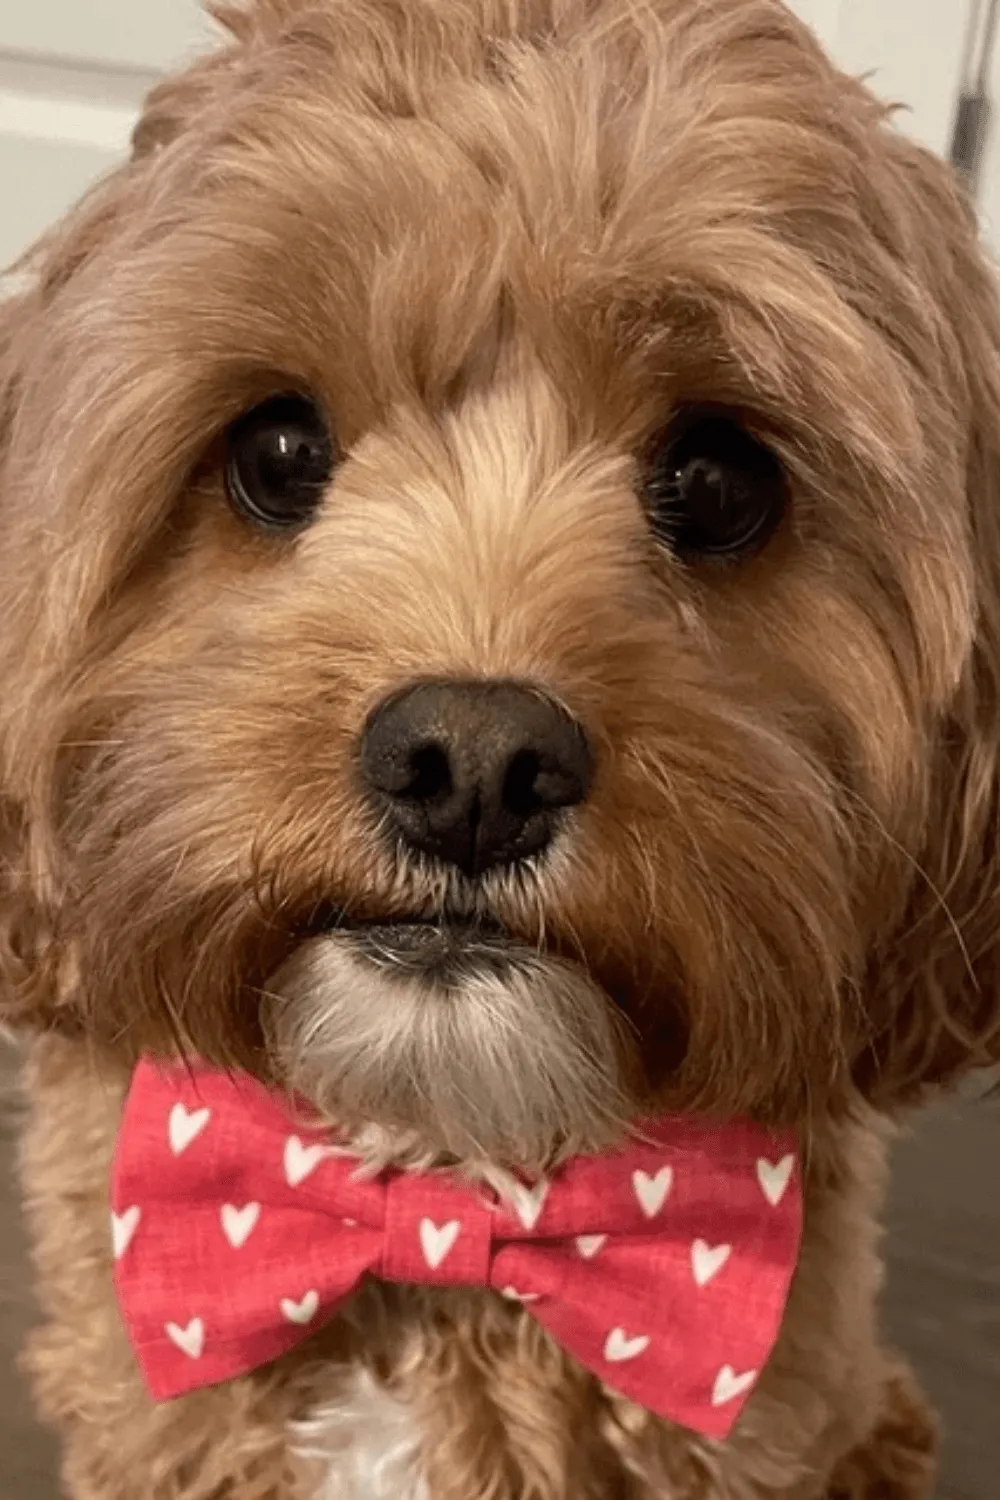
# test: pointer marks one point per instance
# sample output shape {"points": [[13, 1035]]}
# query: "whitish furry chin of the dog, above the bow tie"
{"points": [[436, 1043]]}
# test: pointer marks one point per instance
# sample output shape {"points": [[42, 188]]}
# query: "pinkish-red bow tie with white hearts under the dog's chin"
{"points": [[663, 1267]]}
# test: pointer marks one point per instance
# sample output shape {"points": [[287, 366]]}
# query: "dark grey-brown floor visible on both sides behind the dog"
{"points": [[942, 1304]]}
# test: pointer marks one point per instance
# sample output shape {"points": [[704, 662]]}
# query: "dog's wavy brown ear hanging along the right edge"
{"points": [[935, 985]]}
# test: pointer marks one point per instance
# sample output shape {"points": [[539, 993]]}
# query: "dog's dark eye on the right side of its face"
{"points": [[713, 488]]}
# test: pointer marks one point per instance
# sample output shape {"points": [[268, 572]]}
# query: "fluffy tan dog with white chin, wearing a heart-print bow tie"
{"points": [[501, 641]]}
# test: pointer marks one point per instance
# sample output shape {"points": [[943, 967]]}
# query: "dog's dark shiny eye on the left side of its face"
{"points": [[280, 460]]}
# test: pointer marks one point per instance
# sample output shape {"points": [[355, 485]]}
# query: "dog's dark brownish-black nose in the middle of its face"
{"points": [[476, 773]]}
